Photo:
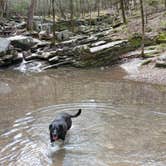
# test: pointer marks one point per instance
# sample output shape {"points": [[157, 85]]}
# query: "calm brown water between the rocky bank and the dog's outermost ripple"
{"points": [[72, 86]]}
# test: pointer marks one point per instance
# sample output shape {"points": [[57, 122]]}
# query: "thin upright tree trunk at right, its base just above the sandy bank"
{"points": [[143, 27]]}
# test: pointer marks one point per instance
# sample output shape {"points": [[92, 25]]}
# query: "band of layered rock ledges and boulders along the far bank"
{"points": [[88, 47]]}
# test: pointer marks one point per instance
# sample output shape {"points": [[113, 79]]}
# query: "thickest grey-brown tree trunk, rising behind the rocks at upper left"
{"points": [[31, 14]]}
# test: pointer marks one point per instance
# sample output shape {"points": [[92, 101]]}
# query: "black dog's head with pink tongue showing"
{"points": [[55, 132]]}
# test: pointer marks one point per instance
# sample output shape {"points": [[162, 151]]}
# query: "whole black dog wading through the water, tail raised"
{"points": [[59, 127]]}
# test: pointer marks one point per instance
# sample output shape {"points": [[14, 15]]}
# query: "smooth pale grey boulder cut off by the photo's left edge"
{"points": [[4, 46]]}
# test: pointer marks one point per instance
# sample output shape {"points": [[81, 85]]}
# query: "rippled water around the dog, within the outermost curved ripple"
{"points": [[102, 135]]}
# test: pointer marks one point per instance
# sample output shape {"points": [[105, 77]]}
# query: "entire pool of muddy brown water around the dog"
{"points": [[123, 123]]}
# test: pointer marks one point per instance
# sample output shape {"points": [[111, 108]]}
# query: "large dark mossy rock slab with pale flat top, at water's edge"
{"points": [[101, 55]]}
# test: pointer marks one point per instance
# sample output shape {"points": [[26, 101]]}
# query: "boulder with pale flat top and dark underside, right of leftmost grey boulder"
{"points": [[22, 42]]}
